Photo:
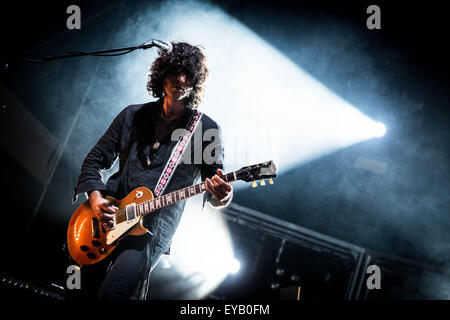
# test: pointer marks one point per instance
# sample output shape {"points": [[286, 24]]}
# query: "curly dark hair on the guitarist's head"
{"points": [[186, 58]]}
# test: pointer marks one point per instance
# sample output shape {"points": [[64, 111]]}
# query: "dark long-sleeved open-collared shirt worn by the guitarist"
{"points": [[130, 138]]}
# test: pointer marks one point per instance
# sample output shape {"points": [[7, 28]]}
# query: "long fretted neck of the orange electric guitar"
{"points": [[176, 196]]}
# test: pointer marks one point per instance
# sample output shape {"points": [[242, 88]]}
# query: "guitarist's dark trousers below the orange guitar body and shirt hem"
{"points": [[127, 276]]}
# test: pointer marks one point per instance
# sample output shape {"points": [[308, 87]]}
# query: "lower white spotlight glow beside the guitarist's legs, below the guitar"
{"points": [[201, 249]]}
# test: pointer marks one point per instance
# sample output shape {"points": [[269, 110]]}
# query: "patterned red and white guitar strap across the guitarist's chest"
{"points": [[177, 153]]}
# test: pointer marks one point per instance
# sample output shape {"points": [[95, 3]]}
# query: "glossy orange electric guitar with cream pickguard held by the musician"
{"points": [[89, 241]]}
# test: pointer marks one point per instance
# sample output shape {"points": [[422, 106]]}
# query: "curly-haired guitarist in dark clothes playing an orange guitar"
{"points": [[140, 136]]}
